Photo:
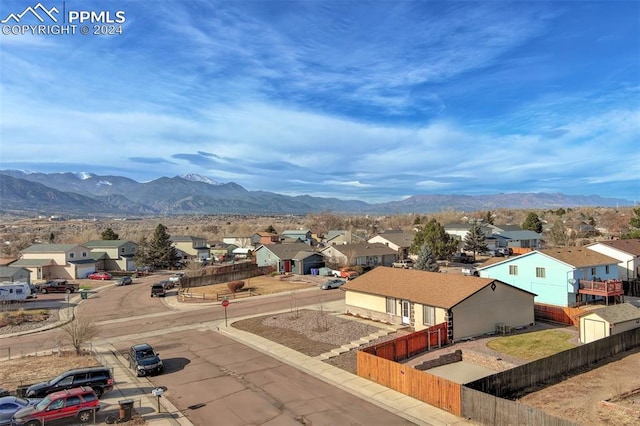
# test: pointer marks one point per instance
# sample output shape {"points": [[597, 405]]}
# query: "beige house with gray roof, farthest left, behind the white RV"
{"points": [[48, 261]]}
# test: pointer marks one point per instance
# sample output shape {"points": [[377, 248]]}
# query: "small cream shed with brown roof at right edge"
{"points": [[608, 321]]}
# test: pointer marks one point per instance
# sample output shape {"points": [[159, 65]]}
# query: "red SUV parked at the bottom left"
{"points": [[77, 403]]}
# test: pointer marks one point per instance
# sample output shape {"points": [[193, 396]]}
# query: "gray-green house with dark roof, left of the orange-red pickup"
{"points": [[289, 258]]}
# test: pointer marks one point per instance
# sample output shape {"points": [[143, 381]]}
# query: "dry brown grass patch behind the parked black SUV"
{"points": [[33, 369]]}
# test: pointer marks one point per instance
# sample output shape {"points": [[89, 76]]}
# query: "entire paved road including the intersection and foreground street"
{"points": [[223, 381]]}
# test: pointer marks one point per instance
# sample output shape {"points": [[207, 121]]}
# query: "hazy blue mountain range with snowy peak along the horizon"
{"points": [[86, 193]]}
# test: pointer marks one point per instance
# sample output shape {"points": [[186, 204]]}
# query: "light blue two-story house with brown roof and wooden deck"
{"points": [[562, 277]]}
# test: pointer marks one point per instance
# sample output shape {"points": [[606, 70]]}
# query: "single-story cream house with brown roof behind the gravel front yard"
{"points": [[470, 306]]}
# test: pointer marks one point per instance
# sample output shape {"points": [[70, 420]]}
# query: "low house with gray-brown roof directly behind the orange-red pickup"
{"points": [[363, 254]]}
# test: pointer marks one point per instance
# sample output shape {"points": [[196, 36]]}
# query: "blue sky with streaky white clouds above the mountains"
{"points": [[373, 100]]}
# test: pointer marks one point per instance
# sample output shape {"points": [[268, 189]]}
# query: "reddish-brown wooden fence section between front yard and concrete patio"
{"points": [[405, 347]]}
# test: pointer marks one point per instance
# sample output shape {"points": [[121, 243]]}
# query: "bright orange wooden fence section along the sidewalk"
{"points": [[423, 386]]}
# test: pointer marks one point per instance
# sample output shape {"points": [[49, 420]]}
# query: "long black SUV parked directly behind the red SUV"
{"points": [[99, 379]]}
